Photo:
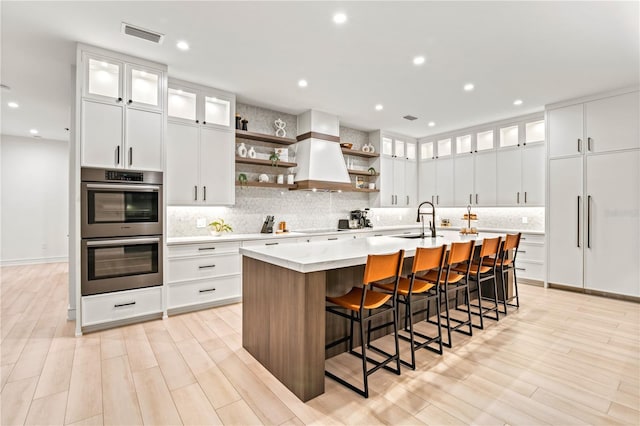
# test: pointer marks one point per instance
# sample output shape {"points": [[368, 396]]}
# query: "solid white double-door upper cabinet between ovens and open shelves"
{"points": [[200, 165]]}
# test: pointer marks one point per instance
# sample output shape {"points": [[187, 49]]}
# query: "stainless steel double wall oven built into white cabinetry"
{"points": [[122, 227]]}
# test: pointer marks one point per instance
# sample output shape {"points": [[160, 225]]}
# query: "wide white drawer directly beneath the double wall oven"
{"points": [[103, 308]]}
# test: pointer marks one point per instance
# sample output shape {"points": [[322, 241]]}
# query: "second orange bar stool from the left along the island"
{"points": [[411, 291]]}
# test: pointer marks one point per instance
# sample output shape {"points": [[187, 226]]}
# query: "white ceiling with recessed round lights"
{"points": [[540, 52]]}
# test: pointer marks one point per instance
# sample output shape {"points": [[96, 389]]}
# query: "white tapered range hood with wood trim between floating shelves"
{"points": [[321, 166]]}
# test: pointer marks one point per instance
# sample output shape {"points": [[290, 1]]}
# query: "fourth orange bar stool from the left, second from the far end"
{"points": [[484, 269]]}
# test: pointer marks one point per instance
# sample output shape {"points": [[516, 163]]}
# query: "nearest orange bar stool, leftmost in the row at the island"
{"points": [[362, 305]]}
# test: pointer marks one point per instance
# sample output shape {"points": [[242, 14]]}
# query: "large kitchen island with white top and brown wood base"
{"points": [[284, 288]]}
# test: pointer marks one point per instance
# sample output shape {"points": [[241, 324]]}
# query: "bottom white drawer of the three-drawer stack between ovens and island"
{"points": [[204, 291]]}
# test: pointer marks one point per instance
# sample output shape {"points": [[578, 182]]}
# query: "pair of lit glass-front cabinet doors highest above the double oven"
{"points": [[120, 82]]}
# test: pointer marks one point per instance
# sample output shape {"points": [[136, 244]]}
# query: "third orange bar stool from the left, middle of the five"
{"points": [[451, 283]]}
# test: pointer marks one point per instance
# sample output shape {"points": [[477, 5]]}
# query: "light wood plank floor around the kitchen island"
{"points": [[562, 359]]}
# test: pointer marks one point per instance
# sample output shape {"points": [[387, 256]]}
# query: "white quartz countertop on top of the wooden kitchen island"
{"points": [[324, 255]]}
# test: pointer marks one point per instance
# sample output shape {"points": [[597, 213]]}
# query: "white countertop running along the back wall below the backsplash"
{"points": [[309, 232]]}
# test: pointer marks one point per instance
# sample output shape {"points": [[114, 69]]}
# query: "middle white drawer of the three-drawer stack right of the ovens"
{"points": [[189, 268]]}
